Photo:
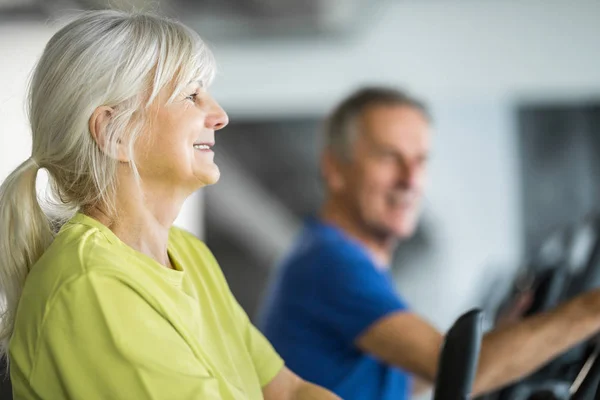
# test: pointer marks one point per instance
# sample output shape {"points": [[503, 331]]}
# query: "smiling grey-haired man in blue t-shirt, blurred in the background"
{"points": [[332, 312]]}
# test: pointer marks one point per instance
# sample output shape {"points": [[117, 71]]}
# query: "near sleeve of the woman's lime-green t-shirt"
{"points": [[102, 340]]}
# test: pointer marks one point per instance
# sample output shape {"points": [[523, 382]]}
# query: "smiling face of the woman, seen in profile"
{"points": [[174, 151]]}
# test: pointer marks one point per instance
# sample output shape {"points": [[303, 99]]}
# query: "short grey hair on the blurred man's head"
{"points": [[341, 125]]}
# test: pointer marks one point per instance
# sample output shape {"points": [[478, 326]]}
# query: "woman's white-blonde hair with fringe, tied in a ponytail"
{"points": [[102, 58]]}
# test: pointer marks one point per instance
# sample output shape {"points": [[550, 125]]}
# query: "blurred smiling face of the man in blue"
{"points": [[384, 179]]}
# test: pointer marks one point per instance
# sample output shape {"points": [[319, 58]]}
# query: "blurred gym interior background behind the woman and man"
{"points": [[513, 86]]}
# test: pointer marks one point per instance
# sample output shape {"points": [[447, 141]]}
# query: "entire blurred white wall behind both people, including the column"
{"points": [[470, 59]]}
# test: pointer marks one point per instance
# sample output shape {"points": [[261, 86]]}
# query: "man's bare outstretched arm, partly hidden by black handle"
{"points": [[507, 354]]}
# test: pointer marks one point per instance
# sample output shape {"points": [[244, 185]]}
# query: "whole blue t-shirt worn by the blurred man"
{"points": [[327, 292]]}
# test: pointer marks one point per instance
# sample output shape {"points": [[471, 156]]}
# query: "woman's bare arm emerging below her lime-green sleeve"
{"points": [[289, 386]]}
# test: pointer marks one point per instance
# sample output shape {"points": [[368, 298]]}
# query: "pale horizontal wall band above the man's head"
{"points": [[446, 50]]}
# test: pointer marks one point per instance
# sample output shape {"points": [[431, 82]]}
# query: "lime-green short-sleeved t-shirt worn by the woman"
{"points": [[99, 320]]}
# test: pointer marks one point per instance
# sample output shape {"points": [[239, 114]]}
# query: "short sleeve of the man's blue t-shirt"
{"points": [[348, 294]]}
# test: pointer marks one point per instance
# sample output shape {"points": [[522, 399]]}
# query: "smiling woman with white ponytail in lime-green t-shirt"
{"points": [[103, 298]]}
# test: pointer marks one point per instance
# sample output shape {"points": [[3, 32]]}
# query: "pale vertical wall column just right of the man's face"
{"points": [[473, 205]]}
